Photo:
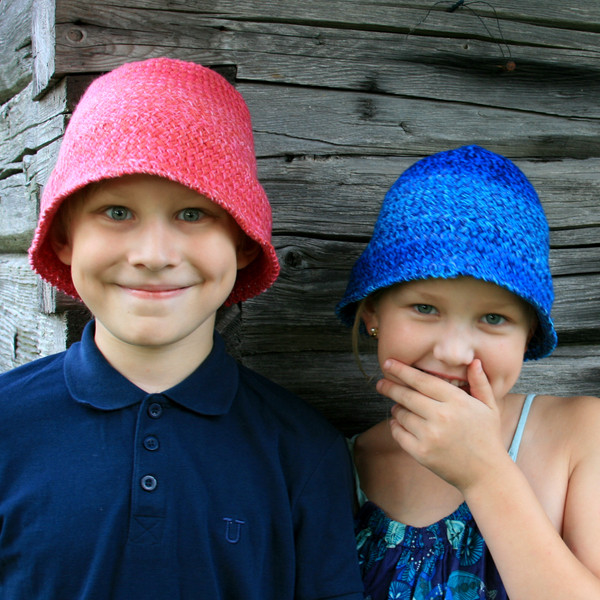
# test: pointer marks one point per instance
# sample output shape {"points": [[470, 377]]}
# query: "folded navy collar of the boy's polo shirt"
{"points": [[91, 380]]}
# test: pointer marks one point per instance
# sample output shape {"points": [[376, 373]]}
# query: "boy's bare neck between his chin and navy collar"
{"points": [[155, 369]]}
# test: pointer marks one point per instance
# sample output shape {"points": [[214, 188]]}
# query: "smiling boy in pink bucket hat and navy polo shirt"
{"points": [[144, 462]]}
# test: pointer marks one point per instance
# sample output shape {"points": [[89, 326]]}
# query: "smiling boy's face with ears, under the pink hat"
{"points": [[152, 260]]}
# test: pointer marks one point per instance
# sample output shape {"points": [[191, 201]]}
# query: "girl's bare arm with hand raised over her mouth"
{"points": [[458, 437]]}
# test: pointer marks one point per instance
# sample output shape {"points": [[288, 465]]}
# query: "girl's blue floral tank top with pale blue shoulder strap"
{"points": [[448, 560]]}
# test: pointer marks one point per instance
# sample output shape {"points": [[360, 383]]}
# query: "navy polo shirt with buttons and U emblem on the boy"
{"points": [[223, 487]]}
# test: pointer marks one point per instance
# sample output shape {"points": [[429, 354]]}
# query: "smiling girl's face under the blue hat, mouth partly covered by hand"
{"points": [[440, 325]]}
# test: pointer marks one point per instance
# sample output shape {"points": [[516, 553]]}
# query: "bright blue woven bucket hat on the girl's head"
{"points": [[463, 212]]}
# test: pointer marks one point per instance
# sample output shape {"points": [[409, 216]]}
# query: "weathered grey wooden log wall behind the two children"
{"points": [[344, 95]]}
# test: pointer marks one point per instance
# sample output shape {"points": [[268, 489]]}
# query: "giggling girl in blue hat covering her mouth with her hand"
{"points": [[469, 491]]}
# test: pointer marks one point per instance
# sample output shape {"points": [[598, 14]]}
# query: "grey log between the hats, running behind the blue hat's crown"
{"points": [[340, 196]]}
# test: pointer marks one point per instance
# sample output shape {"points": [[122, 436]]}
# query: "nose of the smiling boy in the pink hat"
{"points": [[153, 246]]}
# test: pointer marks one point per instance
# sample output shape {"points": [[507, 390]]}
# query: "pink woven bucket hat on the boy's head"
{"points": [[170, 118]]}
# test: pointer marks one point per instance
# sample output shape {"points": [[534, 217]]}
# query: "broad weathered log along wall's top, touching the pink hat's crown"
{"points": [[403, 49]]}
